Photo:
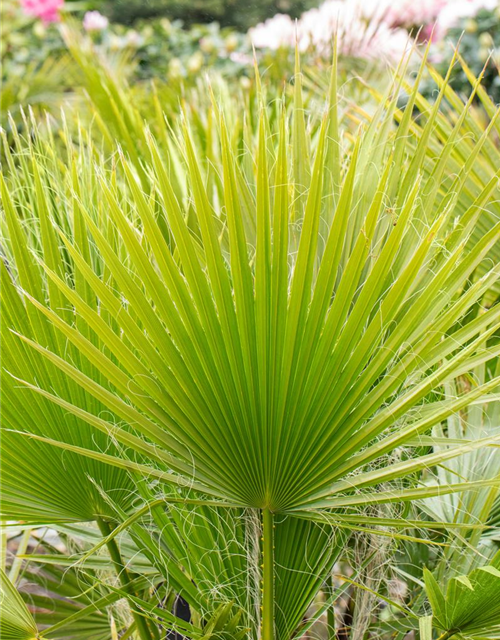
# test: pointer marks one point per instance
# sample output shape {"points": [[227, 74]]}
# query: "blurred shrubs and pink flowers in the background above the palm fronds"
{"points": [[175, 41]]}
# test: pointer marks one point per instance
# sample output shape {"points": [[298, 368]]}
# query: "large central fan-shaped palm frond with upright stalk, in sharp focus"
{"points": [[262, 344]]}
